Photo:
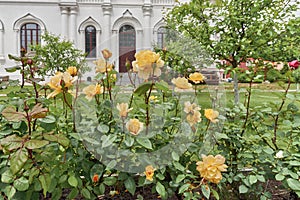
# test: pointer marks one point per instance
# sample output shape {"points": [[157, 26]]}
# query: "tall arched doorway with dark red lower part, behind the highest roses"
{"points": [[127, 42]]}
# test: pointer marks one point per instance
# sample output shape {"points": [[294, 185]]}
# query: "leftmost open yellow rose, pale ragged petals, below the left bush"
{"points": [[59, 82]]}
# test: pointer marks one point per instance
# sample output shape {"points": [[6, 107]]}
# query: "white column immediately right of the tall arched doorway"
{"points": [[147, 8]]}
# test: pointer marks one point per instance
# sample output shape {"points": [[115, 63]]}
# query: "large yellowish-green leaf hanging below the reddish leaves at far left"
{"points": [[18, 159]]}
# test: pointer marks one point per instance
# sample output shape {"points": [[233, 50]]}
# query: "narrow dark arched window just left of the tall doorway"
{"points": [[90, 41]]}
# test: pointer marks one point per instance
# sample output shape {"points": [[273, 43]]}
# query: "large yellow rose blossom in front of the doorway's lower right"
{"points": [[147, 63]]}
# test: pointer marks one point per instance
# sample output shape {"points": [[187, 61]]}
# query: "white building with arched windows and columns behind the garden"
{"points": [[123, 26]]}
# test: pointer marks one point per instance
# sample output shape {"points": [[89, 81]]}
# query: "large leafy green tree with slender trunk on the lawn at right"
{"points": [[234, 30]]}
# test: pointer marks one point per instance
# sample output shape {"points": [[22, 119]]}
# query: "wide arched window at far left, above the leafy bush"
{"points": [[30, 35]]}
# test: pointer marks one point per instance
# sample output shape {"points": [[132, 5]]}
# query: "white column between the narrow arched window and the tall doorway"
{"points": [[106, 34]]}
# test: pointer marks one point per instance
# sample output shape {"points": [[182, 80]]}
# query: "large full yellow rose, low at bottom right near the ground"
{"points": [[210, 168]]}
